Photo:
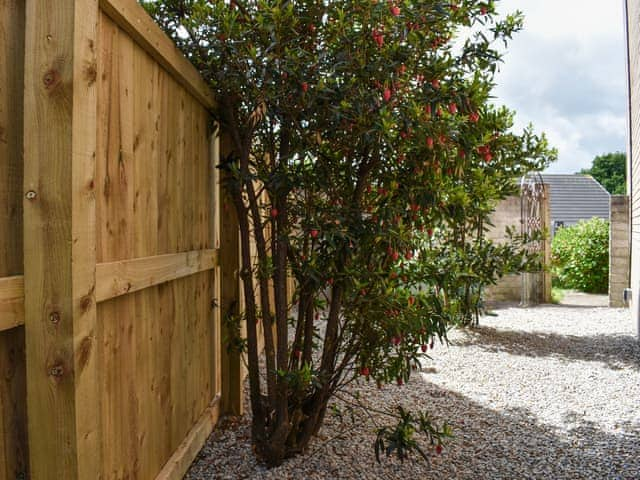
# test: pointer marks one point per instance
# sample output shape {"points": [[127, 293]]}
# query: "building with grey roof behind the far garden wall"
{"points": [[575, 197]]}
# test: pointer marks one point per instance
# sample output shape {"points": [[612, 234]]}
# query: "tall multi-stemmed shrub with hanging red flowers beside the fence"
{"points": [[352, 126]]}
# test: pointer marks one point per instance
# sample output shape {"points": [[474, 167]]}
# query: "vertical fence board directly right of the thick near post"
{"points": [[115, 206]]}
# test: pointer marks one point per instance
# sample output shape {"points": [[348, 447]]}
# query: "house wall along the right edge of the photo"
{"points": [[633, 49]]}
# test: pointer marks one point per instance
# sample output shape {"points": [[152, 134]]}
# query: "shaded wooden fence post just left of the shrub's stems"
{"points": [[232, 402]]}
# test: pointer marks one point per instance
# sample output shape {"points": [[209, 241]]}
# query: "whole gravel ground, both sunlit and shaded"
{"points": [[544, 393]]}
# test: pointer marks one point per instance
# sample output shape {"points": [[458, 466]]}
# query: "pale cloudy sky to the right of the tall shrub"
{"points": [[566, 74]]}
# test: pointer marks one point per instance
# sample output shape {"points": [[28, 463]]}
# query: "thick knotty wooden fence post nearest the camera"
{"points": [[59, 239]]}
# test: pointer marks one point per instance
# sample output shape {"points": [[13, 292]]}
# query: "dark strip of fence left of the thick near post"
{"points": [[13, 418]]}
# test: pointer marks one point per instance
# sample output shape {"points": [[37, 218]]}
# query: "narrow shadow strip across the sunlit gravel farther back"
{"points": [[615, 351]]}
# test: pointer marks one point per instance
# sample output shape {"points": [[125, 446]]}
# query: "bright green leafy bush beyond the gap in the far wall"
{"points": [[580, 256]]}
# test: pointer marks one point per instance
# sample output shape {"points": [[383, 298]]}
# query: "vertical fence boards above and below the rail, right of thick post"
{"points": [[158, 346]]}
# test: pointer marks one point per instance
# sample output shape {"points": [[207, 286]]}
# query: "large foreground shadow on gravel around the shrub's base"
{"points": [[488, 444]]}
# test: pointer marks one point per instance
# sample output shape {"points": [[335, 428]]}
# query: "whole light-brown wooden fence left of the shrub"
{"points": [[115, 265]]}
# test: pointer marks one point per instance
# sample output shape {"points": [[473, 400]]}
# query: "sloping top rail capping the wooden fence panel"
{"points": [[133, 19]]}
